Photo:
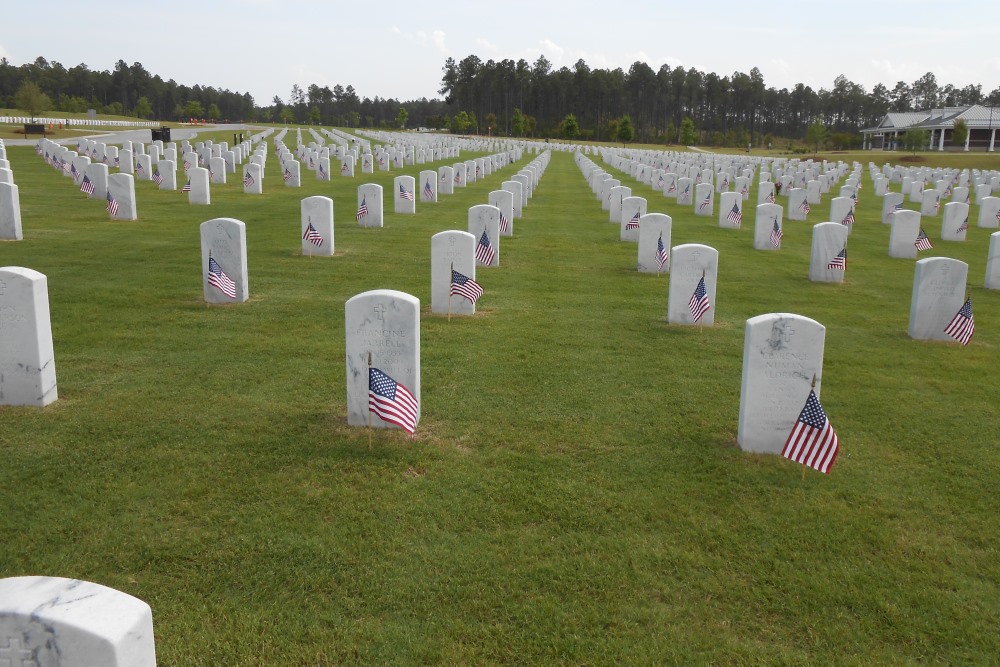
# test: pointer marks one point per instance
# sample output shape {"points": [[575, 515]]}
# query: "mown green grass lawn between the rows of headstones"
{"points": [[573, 494]]}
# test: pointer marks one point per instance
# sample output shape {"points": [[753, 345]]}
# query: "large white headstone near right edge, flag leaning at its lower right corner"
{"points": [[939, 287]]}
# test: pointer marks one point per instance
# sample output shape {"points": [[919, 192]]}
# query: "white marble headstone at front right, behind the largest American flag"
{"points": [[782, 352]]}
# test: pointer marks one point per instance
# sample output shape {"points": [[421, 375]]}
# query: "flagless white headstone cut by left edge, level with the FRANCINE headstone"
{"points": [[27, 360]]}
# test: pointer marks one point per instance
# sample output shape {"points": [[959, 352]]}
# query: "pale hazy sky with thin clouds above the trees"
{"points": [[396, 49]]}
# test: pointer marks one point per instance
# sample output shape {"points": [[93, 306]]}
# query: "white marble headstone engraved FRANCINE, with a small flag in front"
{"points": [[384, 324]]}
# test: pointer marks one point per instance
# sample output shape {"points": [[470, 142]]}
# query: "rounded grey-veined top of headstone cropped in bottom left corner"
{"points": [[49, 621]]}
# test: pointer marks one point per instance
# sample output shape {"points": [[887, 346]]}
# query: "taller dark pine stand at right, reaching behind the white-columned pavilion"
{"points": [[733, 110]]}
